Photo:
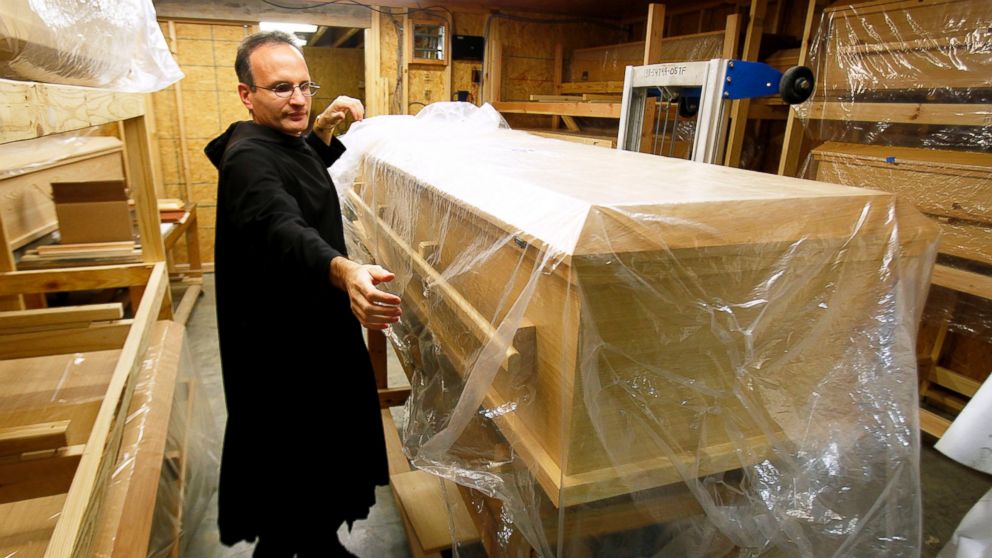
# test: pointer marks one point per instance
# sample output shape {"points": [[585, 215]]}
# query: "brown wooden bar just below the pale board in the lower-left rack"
{"points": [[98, 337]]}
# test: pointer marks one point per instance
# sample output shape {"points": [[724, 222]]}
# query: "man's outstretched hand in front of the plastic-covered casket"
{"points": [[375, 309]]}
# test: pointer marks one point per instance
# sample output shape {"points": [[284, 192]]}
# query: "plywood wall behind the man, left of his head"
{"points": [[209, 103]]}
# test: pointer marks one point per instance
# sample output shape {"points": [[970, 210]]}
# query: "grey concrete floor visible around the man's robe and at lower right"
{"points": [[949, 489]]}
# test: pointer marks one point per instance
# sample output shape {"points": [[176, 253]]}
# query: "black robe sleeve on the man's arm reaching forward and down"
{"points": [[263, 211]]}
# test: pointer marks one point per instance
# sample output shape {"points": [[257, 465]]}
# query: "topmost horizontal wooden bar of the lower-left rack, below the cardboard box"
{"points": [[73, 279]]}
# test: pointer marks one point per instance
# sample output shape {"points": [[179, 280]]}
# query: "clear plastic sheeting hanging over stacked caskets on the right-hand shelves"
{"points": [[902, 105]]}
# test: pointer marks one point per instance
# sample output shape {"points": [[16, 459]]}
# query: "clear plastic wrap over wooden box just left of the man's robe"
{"points": [[165, 473]]}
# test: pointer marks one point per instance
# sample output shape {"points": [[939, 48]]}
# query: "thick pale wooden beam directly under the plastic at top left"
{"points": [[30, 110]]}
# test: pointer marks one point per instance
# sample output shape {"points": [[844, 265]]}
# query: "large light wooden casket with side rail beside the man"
{"points": [[635, 321]]}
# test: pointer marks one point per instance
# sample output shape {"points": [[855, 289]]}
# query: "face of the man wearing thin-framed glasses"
{"points": [[272, 64]]}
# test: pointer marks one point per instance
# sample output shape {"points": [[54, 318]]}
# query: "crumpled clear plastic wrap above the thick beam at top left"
{"points": [[111, 44]]}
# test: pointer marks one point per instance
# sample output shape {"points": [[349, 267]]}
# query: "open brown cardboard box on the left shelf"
{"points": [[92, 211]]}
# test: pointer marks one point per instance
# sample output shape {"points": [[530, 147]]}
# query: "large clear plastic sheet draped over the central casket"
{"points": [[616, 354]]}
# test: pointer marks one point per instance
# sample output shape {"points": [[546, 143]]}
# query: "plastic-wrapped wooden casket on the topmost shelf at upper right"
{"points": [[914, 45]]}
